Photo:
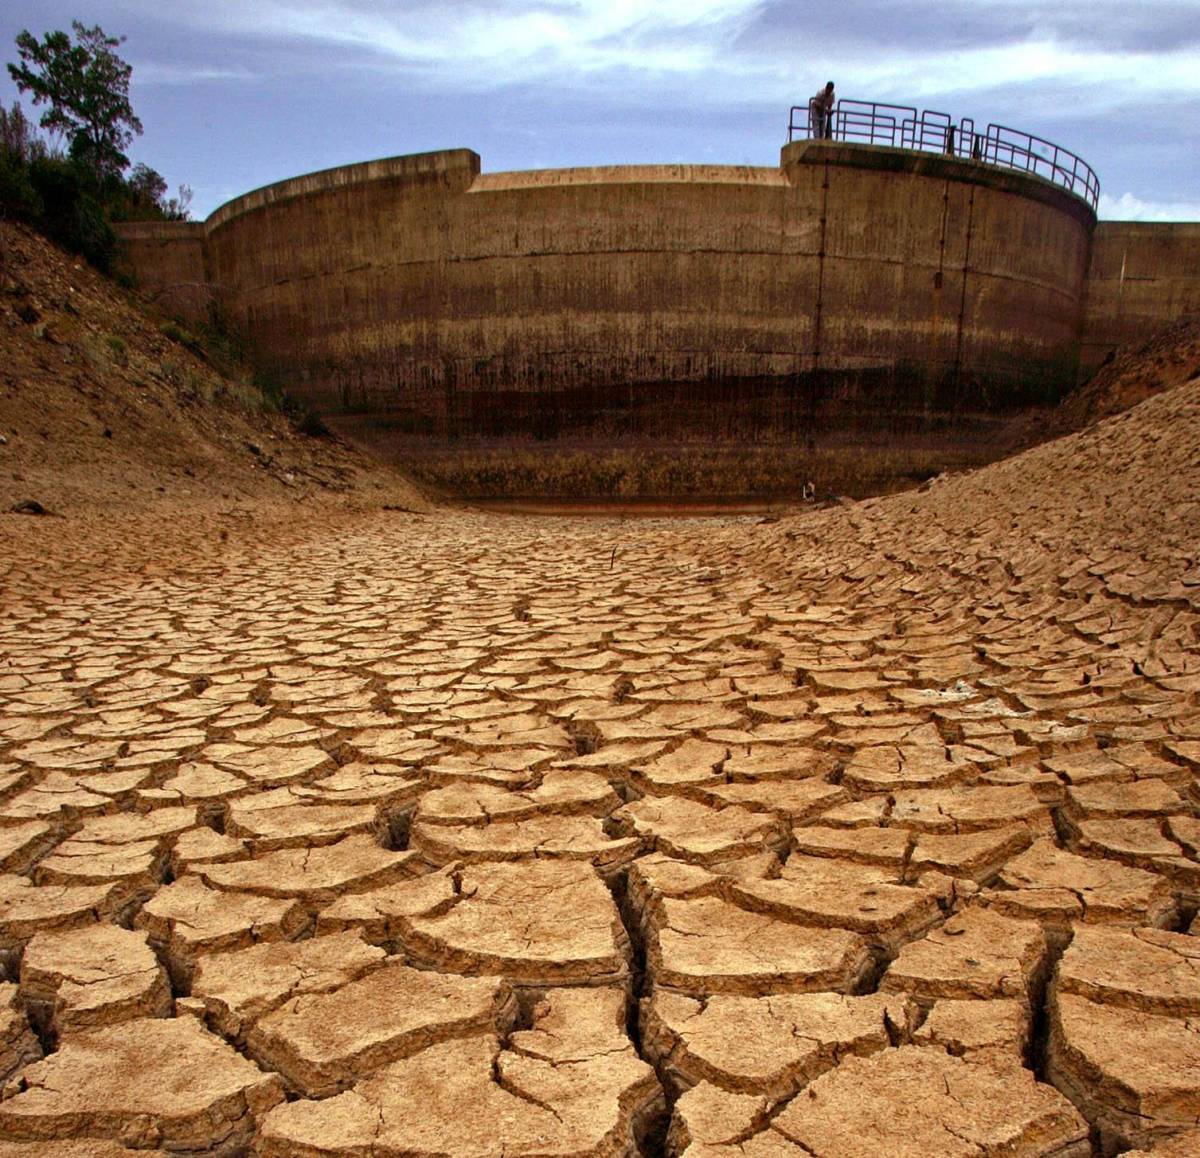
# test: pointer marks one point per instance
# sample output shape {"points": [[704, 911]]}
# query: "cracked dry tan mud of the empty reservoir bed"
{"points": [[867, 832]]}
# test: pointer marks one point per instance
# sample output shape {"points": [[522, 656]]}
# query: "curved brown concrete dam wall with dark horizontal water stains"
{"points": [[854, 289]]}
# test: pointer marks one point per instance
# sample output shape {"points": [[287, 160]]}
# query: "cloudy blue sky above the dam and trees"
{"points": [[236, 94]]}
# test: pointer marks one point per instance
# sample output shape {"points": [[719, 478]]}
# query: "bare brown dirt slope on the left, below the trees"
{"points": [[105, 407]]}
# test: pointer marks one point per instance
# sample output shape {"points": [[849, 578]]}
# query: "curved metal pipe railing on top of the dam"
{"points": [[904, 128]]}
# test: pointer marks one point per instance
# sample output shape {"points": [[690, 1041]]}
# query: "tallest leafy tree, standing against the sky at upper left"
{"points": [[87, 89]]}
